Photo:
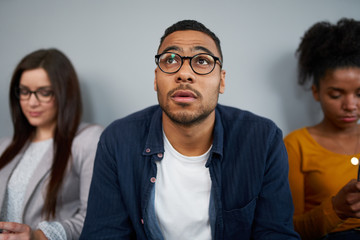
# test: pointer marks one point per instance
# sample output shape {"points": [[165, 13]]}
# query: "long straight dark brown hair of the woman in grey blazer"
{"points": [[65, 85]]}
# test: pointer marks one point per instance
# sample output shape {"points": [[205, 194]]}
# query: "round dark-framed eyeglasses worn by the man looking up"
{"points": [[202, 63]]}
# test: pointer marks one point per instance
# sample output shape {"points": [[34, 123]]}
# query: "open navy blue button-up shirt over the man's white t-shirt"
{"points": [[250, 196]]}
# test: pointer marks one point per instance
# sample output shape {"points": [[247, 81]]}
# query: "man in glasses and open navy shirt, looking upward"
{"points": [[190, 168]]}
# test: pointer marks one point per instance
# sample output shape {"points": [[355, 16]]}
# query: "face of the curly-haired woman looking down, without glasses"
{"points": [[339, 96]]}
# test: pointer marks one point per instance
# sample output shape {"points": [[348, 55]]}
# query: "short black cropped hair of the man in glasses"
{"points": [[195, 26]]}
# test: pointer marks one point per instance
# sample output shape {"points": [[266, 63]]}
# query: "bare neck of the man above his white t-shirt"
{"points": [[192, 140]]}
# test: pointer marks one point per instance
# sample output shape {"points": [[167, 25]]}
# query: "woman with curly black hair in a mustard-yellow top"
{"points": [[323, 159]]}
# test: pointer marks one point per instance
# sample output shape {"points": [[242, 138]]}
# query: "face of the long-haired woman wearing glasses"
{"points": [[40, 109]]}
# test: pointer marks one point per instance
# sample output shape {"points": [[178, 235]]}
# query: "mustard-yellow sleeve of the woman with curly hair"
{"points": [[318, 221]]}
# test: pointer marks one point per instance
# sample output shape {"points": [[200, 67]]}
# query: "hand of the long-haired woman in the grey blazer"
{"points": [[18, 231]]}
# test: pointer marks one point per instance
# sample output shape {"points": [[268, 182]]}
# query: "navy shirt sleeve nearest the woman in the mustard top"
{"points": [[274, 208]]}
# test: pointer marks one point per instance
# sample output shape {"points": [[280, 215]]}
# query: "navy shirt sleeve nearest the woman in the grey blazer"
{"points": [[106, 214]]}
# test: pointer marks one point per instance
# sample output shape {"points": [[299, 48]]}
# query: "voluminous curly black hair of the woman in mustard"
{"points": [[327, 46]]}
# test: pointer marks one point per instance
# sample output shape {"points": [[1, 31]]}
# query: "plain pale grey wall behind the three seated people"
{"points": [[112, 44]]}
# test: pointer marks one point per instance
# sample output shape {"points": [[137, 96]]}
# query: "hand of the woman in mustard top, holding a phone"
{"points": [[346, 203]]}
